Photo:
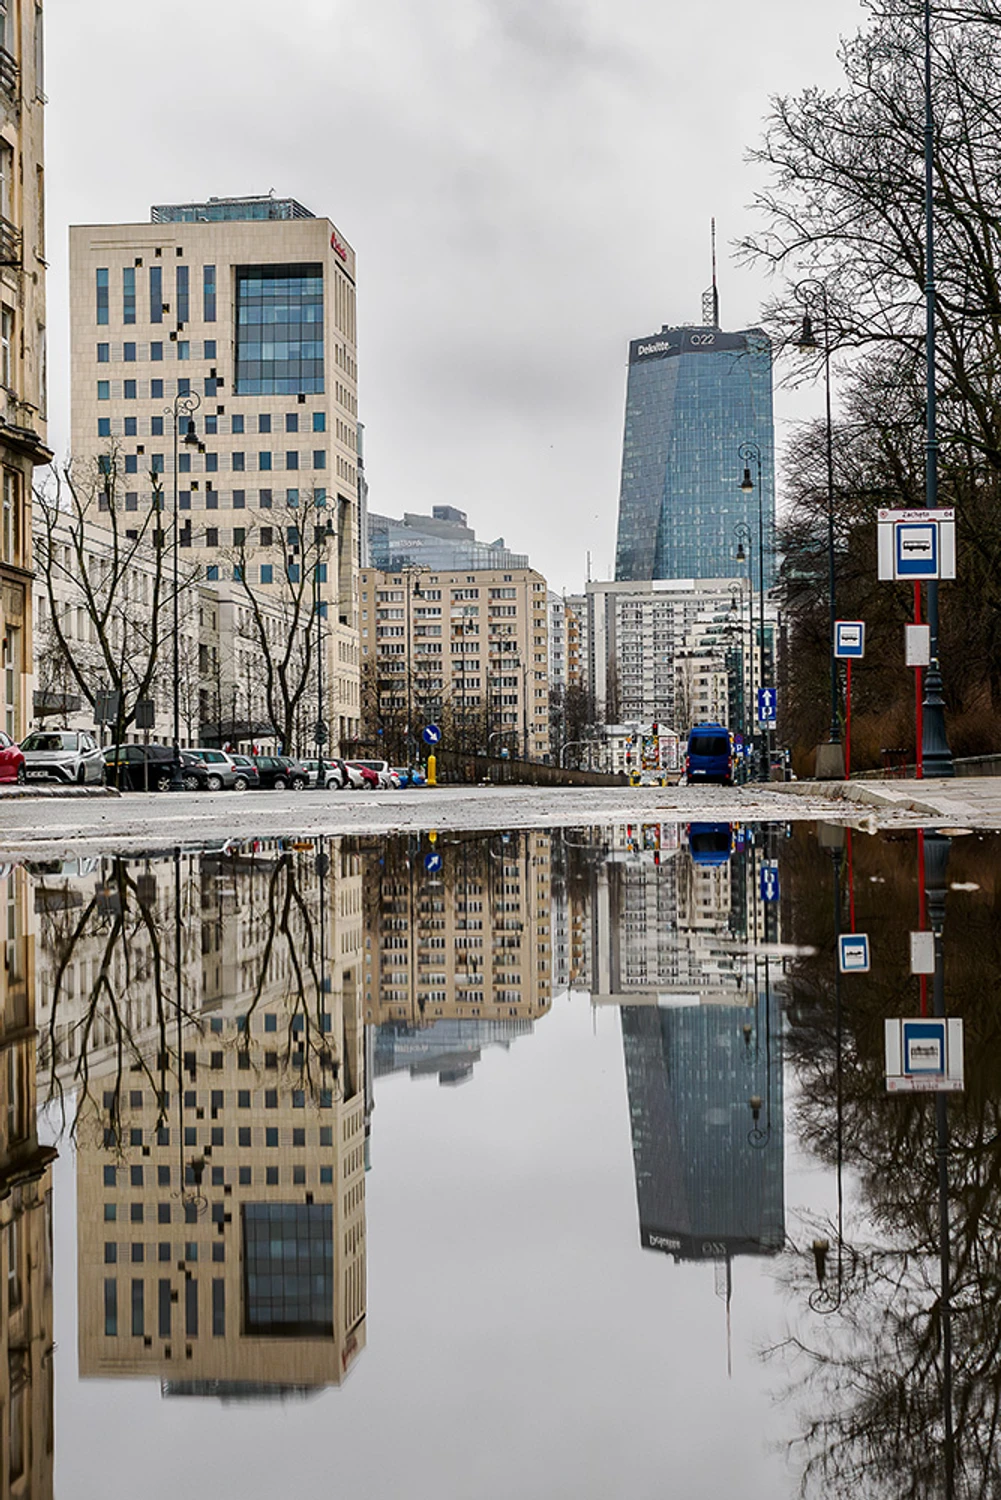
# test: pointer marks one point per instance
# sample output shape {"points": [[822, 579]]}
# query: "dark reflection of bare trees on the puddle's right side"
{"points": [[871, 1381]]}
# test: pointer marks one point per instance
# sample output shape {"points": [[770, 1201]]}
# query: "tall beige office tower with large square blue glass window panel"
{"points": [[214, 356]]}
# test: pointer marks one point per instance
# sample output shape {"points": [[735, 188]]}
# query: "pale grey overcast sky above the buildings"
{"points": [[528, 184]]}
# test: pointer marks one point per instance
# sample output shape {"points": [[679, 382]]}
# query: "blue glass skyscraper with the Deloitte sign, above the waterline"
{"points": [[694, 398]]}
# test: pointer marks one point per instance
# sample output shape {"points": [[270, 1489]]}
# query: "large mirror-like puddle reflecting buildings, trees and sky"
{"points": [[517, 1165]]}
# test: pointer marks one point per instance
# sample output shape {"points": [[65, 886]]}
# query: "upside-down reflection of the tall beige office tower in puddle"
{"points": [[221, 1216]]}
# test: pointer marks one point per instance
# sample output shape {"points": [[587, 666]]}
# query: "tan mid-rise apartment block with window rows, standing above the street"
{"points": [[469, 650]]}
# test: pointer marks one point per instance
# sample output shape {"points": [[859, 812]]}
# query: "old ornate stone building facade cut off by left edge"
{"points": [[23, 401]]}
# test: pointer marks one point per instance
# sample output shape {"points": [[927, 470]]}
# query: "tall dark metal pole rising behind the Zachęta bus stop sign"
{"points": [[937, 757]]}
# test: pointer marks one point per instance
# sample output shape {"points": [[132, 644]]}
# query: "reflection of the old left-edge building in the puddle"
{"points": [[26, 1219]]}
